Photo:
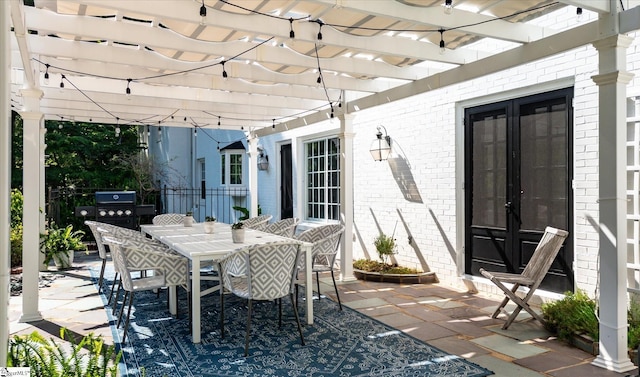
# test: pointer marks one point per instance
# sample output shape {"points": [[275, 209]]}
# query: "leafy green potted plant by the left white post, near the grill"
{"points": [[58, 244]]}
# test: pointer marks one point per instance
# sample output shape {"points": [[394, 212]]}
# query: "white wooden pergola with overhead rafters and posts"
{"points": [[282, 75]]}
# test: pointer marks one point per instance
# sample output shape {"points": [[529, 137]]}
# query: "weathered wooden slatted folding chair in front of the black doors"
{"points": [[531, 277]]}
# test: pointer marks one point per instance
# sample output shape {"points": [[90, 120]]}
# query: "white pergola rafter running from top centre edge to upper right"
{"points": [[434, 16]]}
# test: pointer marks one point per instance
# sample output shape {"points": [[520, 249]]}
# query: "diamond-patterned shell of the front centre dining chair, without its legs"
{"points": [[270, 272]]}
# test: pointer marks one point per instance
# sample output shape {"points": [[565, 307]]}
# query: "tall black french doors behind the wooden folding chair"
{"points": [[518, 178]]}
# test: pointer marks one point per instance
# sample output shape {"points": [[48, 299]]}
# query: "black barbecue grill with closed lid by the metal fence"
{"points": [[117, 208]]}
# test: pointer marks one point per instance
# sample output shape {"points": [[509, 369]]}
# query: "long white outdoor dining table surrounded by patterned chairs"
{"points": [[198, 246]]}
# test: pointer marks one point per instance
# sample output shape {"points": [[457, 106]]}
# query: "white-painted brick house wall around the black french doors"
{"points": [[423, 130]]}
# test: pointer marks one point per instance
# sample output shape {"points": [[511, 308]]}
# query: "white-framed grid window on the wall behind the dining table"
{"points": [[322, 183]]}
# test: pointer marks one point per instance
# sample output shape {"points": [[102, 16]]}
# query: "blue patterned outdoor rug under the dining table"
{"points": [[340, 343]]}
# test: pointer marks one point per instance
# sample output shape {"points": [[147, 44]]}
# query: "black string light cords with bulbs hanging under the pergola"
{"points": [[320, 80]]}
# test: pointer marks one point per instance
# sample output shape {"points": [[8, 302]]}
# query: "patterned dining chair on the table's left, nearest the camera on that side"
{"points": [[131, 256]]}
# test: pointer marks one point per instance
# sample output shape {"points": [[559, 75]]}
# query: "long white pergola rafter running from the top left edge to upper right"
{"points": [[307, 31]]}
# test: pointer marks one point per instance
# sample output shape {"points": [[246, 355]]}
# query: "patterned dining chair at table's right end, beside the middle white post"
{"points": [[326, 242]]}
